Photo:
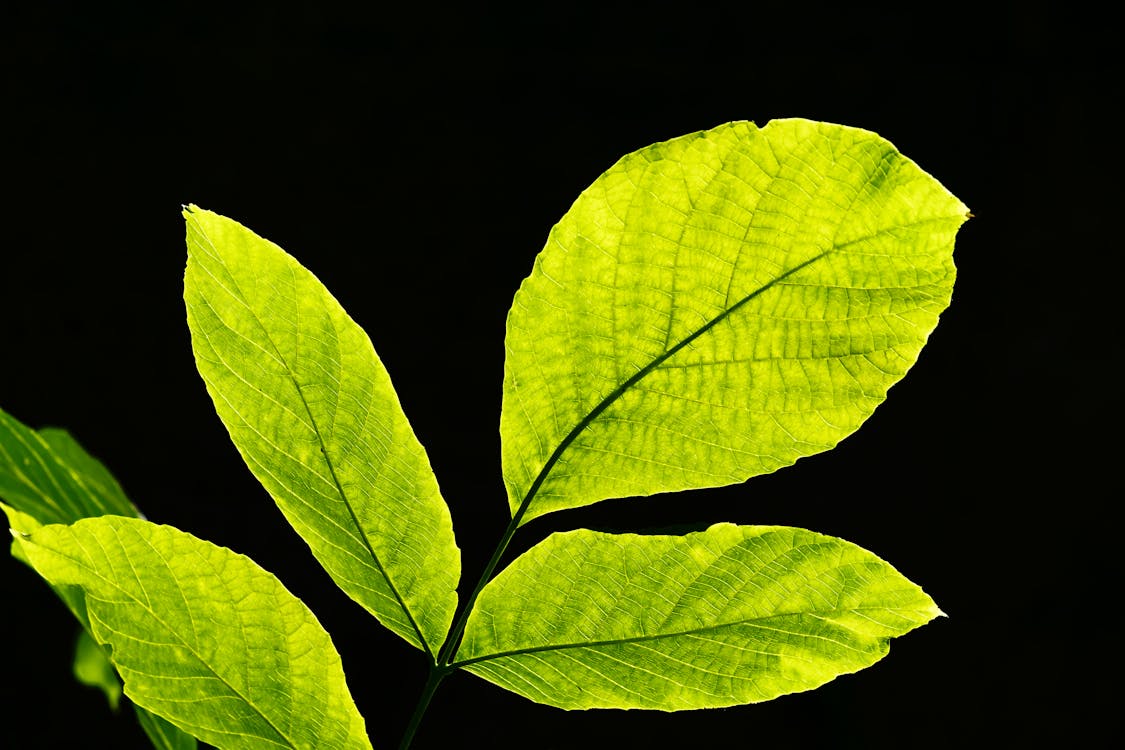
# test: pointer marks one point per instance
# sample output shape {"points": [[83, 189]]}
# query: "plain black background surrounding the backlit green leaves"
{"points": [[415, 160]]}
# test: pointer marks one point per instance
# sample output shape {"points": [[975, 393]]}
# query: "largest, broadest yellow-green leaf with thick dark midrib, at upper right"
{"points": [[718, 306]]}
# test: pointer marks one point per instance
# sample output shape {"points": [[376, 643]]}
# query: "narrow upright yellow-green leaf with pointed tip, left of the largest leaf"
{"points": [[313, 412]]}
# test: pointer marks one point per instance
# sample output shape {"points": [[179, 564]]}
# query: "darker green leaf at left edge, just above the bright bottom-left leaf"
{"points": [[50, 477]]}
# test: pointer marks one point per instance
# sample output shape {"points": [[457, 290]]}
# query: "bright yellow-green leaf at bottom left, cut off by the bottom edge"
{"points": [[203, 637]]}
